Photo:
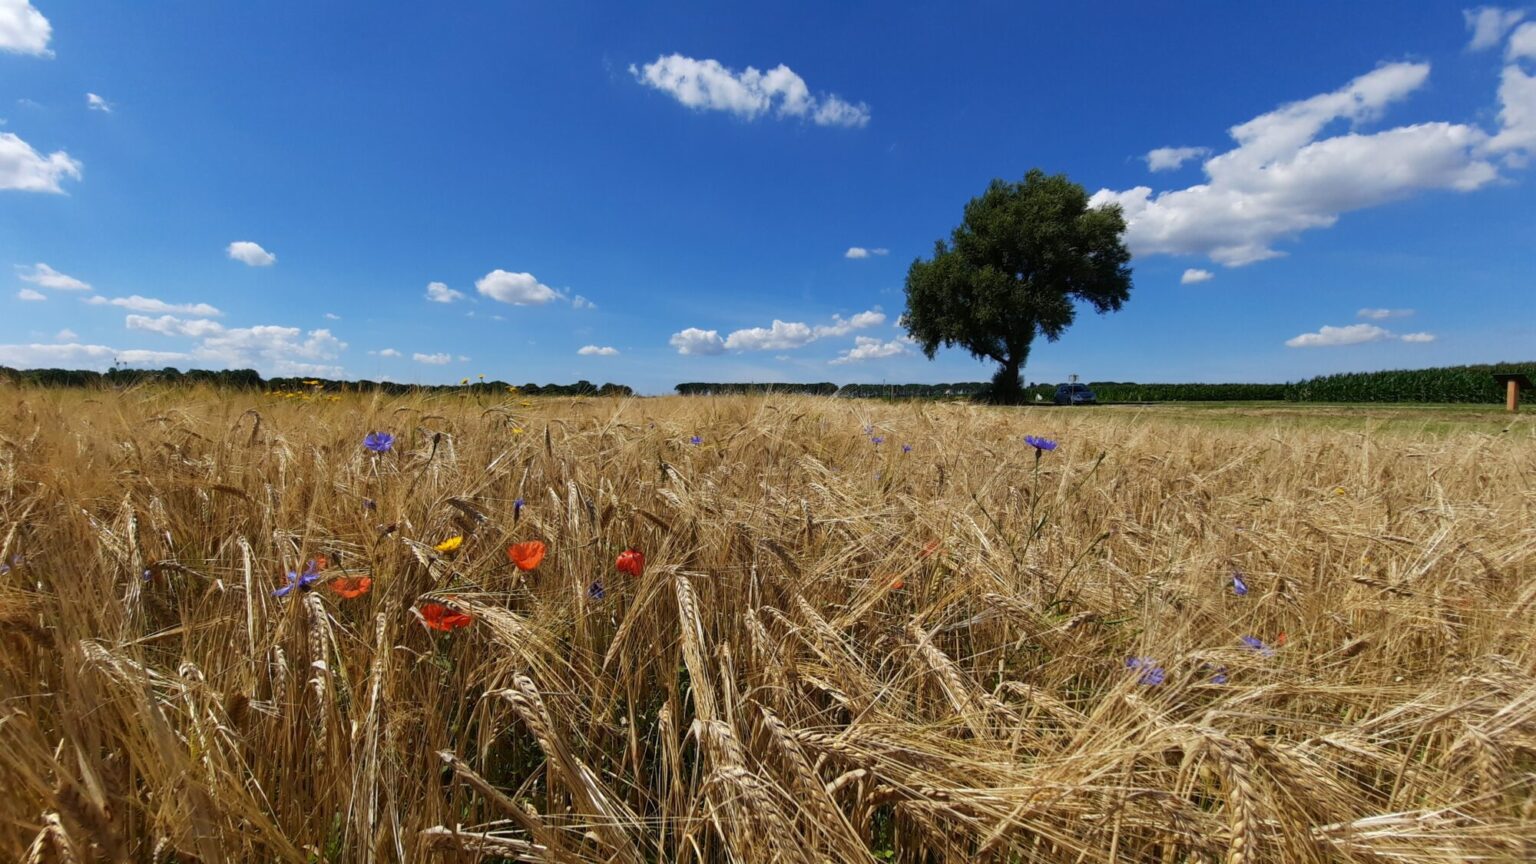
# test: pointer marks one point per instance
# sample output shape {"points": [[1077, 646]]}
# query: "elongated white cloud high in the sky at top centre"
{"points": [[707, 85]]}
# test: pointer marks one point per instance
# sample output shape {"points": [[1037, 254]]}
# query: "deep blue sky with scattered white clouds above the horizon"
{"points": [[654, 196]]}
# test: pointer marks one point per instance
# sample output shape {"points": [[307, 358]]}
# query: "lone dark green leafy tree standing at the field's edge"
{"points": [[1016, 267]]}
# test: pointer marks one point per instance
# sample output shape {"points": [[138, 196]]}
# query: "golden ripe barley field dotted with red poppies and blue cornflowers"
{"points": [[861, 631]]}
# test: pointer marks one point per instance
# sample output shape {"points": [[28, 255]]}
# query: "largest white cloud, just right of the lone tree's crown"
{"points": [[1282, 179]]}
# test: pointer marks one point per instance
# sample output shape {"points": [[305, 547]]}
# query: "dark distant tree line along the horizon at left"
{"points": [[251, 380]]}
